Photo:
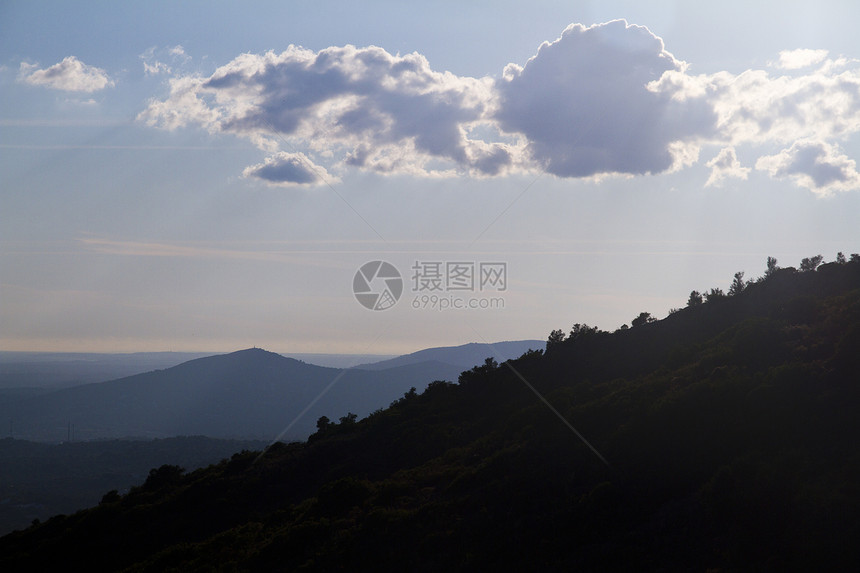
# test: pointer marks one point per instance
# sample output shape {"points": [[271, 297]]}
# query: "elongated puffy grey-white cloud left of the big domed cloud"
{"points": [[382, 112]]}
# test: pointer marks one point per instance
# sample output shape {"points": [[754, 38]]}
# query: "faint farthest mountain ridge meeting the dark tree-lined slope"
{"points": [[465, 356]]}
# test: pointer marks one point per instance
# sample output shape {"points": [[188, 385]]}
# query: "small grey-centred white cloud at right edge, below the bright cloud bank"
{"points": [[816, 165]]}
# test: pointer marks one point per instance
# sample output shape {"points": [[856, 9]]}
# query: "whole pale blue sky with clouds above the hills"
{"points": [[381, 177]]}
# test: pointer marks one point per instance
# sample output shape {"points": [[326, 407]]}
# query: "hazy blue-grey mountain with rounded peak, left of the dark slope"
{"points": [[247, 394]]}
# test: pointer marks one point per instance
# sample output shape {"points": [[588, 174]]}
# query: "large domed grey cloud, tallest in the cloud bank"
{"points": [[585, 106]]}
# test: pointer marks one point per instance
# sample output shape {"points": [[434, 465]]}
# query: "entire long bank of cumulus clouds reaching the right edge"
{"points": [[600, 100]]}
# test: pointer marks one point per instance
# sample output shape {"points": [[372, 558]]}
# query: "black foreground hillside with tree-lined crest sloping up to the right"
{"points": [[721, 438]]}
